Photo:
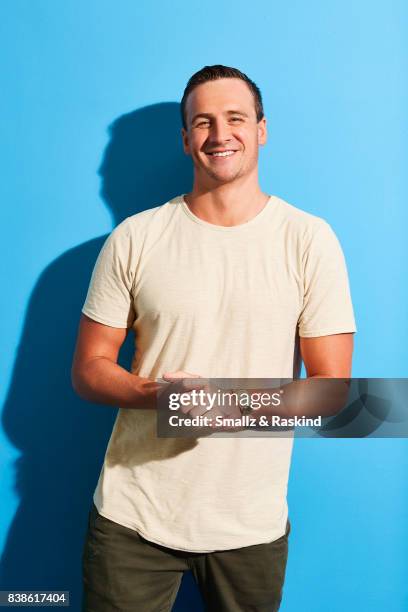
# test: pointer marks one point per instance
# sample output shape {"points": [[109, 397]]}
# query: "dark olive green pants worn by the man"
{"points": [[123, 572]]}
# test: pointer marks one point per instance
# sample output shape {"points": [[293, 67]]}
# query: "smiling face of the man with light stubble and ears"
{"points": [[223, 135]]}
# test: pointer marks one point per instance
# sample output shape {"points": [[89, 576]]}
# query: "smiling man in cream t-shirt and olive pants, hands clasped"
{"points": [[225, 281]]}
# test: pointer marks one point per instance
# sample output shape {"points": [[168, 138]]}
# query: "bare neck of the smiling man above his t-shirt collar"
{"points": [[227, 204]]}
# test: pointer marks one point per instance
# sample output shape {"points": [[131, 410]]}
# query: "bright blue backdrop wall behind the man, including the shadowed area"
{"points": [[90, 135]]}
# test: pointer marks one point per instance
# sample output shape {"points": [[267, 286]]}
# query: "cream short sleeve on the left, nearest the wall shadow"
{"points": [[109, 299]]}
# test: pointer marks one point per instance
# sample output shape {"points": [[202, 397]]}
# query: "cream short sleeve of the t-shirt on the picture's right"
{"points": [[327, 307]]}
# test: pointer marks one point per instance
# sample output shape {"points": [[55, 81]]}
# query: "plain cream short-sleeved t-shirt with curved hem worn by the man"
{"points": [[222, 302]]}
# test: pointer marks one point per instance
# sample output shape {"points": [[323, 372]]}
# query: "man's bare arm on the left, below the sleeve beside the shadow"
{"points": [[96, 375]]}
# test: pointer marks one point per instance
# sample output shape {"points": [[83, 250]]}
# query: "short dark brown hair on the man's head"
{"points": [[213, 73]]}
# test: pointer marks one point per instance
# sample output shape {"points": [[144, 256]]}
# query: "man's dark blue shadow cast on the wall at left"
{"points": [[62, 439]]}
